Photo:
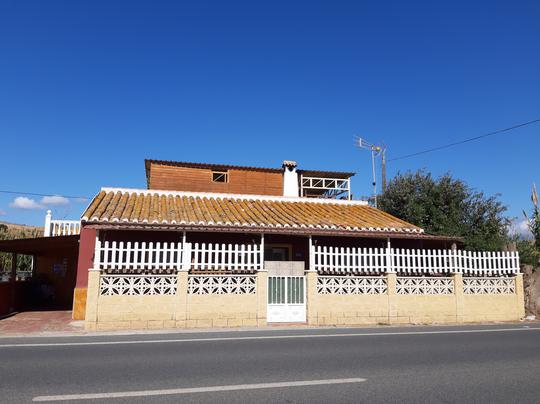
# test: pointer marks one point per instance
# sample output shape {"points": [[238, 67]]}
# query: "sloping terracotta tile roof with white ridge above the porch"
{"points": [[150, 207]]}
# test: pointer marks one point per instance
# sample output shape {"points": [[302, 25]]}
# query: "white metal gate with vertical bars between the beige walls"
{"points": [[286, 299]]}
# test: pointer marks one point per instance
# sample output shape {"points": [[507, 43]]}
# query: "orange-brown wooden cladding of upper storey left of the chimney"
{"points": [[200, 180]]}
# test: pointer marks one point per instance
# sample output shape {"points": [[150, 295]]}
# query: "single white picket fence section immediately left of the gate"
{"points": [[226, 257]]}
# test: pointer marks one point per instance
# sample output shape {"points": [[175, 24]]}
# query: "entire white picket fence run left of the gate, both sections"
{"points": [[120, 256]]}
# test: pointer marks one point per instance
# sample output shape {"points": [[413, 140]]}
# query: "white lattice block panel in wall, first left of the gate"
{"points": [[221, 284]]}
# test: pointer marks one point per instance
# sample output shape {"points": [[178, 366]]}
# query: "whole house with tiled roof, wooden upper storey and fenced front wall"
{"points": [[209, 245]]}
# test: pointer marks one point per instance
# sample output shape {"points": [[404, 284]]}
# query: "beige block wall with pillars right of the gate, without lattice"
{"points": [[391, 308]]}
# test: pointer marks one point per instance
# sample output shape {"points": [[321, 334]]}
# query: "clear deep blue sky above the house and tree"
{"points": [[90, 89]]}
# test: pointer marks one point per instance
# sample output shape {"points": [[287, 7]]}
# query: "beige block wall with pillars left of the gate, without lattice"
{"points": [[182, 310]]}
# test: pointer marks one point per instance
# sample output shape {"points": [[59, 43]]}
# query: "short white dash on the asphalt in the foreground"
{"points": [[189, 390]]}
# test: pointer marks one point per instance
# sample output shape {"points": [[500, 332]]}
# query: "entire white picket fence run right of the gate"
{"points": [[365, 261]]}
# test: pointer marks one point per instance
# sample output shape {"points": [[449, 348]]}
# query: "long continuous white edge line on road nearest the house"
{"points": [[266, 337]]}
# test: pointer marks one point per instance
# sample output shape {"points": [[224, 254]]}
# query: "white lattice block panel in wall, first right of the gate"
{"points": [[344, 285]]}
